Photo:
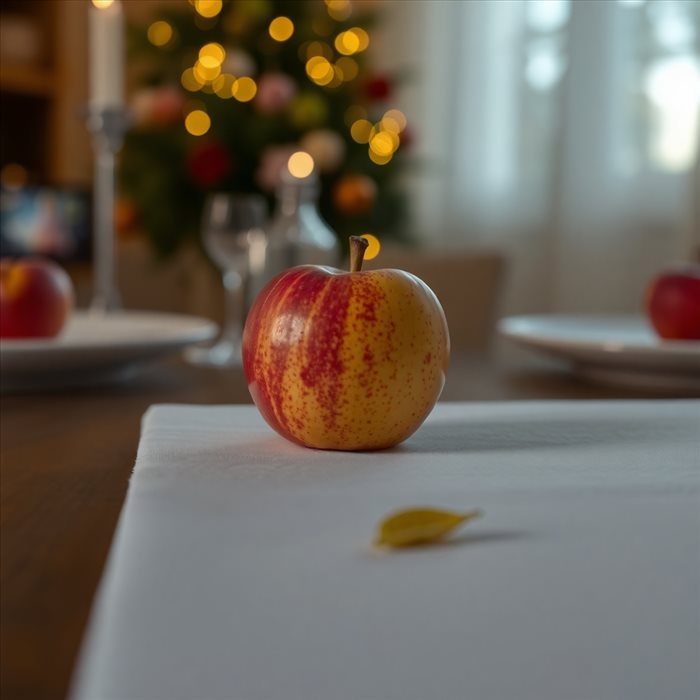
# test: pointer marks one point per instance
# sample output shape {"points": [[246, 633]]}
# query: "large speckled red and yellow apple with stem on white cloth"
{"points": [[345, 360]]}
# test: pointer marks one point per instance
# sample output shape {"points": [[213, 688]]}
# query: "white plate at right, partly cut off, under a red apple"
{"points": [[617, 349]]}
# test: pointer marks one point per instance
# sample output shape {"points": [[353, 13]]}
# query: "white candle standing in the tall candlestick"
{"points": [[107, 55]]}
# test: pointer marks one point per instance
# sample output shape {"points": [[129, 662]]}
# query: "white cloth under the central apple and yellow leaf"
{"points": [[242, 567]]}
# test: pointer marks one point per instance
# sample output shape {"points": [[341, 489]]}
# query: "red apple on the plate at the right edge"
{"points": [[673, 303]]}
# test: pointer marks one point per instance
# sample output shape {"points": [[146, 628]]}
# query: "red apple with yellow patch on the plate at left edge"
{"points": [[36, 298]]}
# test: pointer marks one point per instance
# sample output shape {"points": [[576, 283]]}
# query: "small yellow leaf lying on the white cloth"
{"points": [[420, 526]]}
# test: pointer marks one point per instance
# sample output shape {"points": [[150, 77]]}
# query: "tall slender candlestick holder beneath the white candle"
{"points": [[107, 126]]}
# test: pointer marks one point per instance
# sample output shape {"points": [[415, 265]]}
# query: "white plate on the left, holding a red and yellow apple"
{"points": [[97, 347]]}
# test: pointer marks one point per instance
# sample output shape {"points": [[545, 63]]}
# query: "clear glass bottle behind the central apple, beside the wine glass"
{"points": [[295, 235]]}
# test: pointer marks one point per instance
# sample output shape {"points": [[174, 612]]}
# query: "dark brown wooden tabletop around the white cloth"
{"points": [[65, 461]]}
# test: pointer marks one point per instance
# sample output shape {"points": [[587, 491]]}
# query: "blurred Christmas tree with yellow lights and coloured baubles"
{"points": [[229, 90]]}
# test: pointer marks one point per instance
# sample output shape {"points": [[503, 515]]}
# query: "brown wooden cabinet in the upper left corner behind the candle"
{"points": [[43, 89]]}
